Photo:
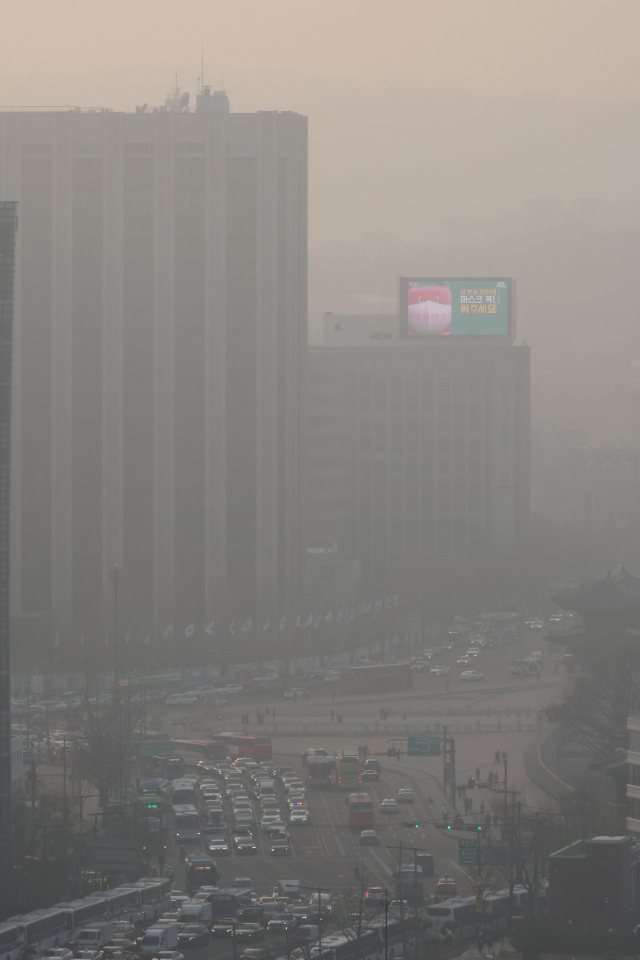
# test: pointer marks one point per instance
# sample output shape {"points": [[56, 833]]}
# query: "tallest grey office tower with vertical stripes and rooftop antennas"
{"points": [[161, 323]]}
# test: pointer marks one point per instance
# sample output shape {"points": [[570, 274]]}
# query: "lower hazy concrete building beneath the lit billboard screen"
{"points": [[416, 450]]}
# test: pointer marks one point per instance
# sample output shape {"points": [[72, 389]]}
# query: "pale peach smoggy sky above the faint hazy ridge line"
{"points": [[572, 48]]}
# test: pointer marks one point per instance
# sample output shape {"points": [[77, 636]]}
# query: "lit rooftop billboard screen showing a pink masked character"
{"points": [[457, 307]]}
